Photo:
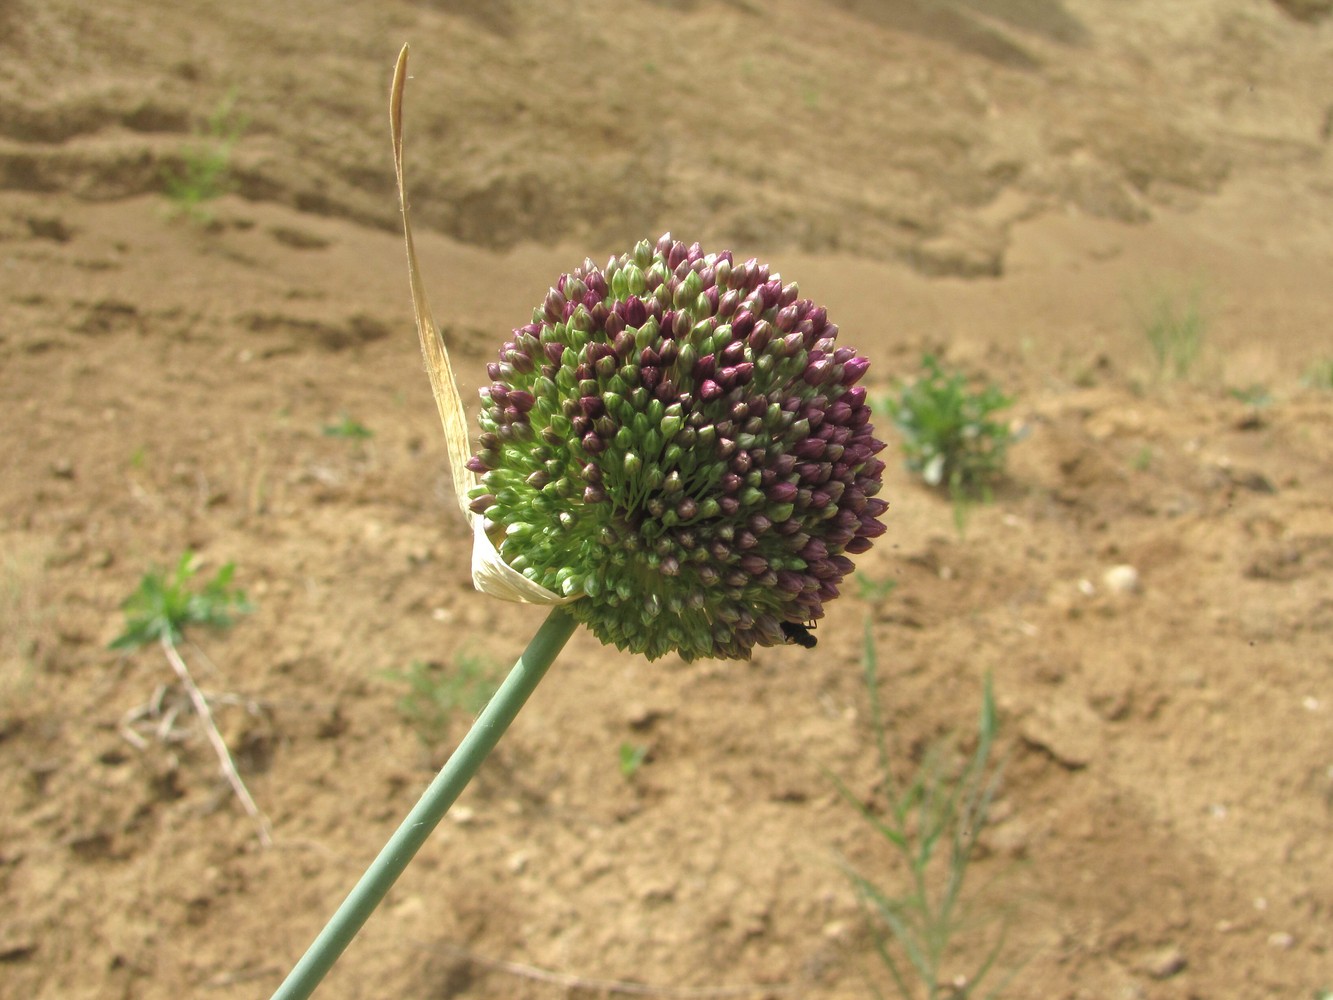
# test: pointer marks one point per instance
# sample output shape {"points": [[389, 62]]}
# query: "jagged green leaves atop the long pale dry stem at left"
{"points": [[165, 605]]}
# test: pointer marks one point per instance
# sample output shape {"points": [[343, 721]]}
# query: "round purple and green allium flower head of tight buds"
{"points": [[678, 438]]}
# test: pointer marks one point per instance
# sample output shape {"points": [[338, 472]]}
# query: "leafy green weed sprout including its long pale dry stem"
{"points": [[161, 611]]}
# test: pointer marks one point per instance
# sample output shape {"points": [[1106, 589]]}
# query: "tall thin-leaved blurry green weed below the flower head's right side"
{"points": [[931, 826]]}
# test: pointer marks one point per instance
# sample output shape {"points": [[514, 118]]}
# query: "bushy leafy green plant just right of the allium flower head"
{"points": [[948, 434]]}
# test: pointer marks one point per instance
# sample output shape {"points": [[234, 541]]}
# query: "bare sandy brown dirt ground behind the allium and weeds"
{"points": [[1008, 183]]}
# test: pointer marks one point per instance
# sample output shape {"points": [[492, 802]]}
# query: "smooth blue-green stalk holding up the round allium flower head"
{"points": [[430, 810]]}
